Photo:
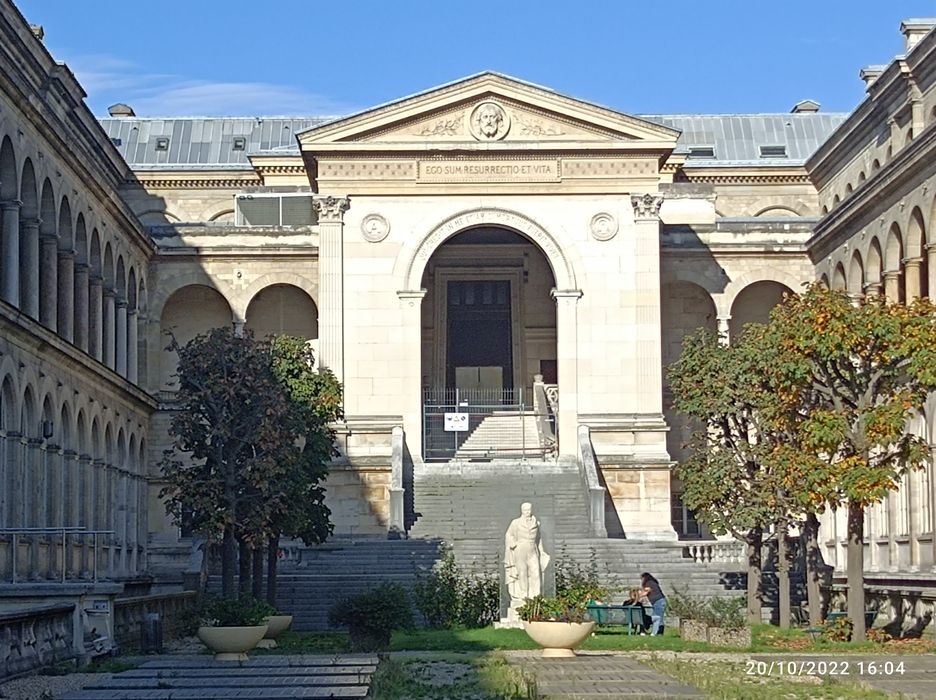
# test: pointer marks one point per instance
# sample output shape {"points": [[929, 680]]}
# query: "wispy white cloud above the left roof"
{"points": [[108, 79]]}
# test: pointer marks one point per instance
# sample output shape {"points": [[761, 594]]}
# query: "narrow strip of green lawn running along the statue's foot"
{"points": [[766, 639]]}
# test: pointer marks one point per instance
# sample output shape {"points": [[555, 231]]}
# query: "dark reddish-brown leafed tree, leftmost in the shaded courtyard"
{"points": [[231, 432]]}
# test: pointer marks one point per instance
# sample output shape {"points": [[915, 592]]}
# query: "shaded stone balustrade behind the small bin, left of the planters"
{"points": [[176, 610]]}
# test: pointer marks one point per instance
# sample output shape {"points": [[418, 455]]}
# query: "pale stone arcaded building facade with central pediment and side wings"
{"points": [[614, 235]]}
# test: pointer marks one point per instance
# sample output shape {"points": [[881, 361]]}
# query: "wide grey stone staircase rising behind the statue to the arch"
{"points": [[469, 505]]}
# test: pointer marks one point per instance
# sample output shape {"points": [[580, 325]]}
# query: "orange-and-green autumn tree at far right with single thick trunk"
{"points": [[857, 372]]}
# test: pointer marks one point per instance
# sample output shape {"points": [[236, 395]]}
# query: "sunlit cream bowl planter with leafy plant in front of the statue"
{"points": [[559, 624]]}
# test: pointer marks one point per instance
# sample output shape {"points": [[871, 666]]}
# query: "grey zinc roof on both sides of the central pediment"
{"points": [[207, 143]]}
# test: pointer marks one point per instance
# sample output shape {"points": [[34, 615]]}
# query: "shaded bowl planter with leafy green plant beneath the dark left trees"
{"points": [[232, 626]]}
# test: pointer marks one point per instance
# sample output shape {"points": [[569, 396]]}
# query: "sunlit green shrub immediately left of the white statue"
{"points": [[448, 597]]}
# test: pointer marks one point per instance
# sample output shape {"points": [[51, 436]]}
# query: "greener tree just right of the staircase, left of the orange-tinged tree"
{"points": [[736, 478]]}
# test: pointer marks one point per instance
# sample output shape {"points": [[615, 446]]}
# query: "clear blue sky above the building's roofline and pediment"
{"points": [[295, 57]]}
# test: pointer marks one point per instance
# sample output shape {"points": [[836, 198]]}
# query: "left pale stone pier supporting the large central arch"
{"points": [[411, 353]]}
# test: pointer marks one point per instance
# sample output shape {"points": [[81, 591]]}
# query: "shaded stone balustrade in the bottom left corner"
{"points": [[37, 636]]}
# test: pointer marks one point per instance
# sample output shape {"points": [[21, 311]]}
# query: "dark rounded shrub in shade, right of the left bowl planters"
{"points": [[373, 616]]}
